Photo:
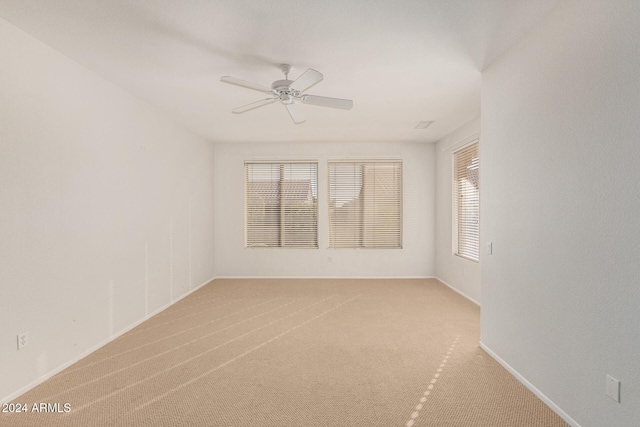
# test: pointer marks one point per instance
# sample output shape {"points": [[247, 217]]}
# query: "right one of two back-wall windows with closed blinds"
{"points": [[365, 204]]}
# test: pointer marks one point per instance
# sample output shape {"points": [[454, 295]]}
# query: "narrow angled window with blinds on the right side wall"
{"points": [[466, 202]]}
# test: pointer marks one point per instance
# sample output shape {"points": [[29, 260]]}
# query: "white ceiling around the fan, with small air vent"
{"points": [[400, 61]]}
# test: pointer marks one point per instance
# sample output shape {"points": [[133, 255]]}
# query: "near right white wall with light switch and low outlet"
{"points": [[561, 202]]}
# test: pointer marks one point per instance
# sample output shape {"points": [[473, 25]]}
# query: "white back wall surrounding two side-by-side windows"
{"points": [[415, 259]]}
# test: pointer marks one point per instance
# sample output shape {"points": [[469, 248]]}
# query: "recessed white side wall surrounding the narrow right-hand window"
{"points": [[459, 273]]}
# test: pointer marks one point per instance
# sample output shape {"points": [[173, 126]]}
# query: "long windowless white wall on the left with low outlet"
{"points": [[92, 183]]}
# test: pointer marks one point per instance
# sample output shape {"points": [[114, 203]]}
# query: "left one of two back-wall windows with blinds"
{"points": [[281, 205]]}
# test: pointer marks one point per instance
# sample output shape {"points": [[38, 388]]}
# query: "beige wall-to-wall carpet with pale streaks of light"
{"points": [[295, 353]]}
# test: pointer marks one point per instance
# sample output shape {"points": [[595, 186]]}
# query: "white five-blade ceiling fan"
{"points": [[290, 93]]}
